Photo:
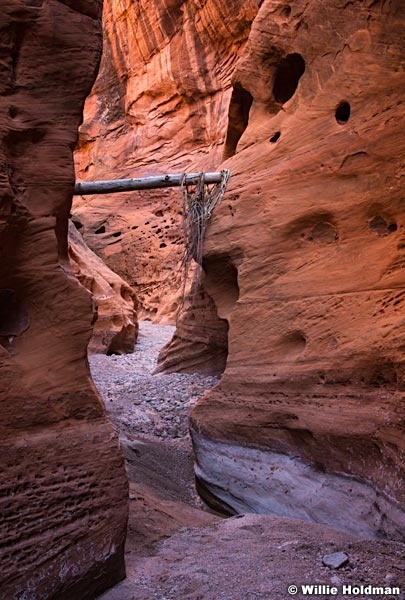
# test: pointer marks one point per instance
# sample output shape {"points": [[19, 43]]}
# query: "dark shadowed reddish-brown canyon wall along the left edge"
{"points": [[63, 501]]}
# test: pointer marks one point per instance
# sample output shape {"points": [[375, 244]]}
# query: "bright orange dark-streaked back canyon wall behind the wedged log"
{"points": [[159, 105]]}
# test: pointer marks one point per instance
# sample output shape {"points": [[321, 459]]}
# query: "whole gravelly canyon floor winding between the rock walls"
{"points": [[178, 550]]}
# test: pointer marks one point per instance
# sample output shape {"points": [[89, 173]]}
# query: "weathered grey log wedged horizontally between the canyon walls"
{"points": [[145, 183]]}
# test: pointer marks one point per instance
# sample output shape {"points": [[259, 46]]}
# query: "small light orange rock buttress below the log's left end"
{"points": [[116, 327]]}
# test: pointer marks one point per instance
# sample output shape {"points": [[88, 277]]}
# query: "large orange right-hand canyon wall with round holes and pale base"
{"points": [[308, 419]]}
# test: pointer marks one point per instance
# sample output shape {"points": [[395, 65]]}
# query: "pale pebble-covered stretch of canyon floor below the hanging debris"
{"points": [[144, 402]]}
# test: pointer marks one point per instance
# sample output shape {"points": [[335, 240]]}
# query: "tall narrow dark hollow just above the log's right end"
{"points": [[238, 118]]}
